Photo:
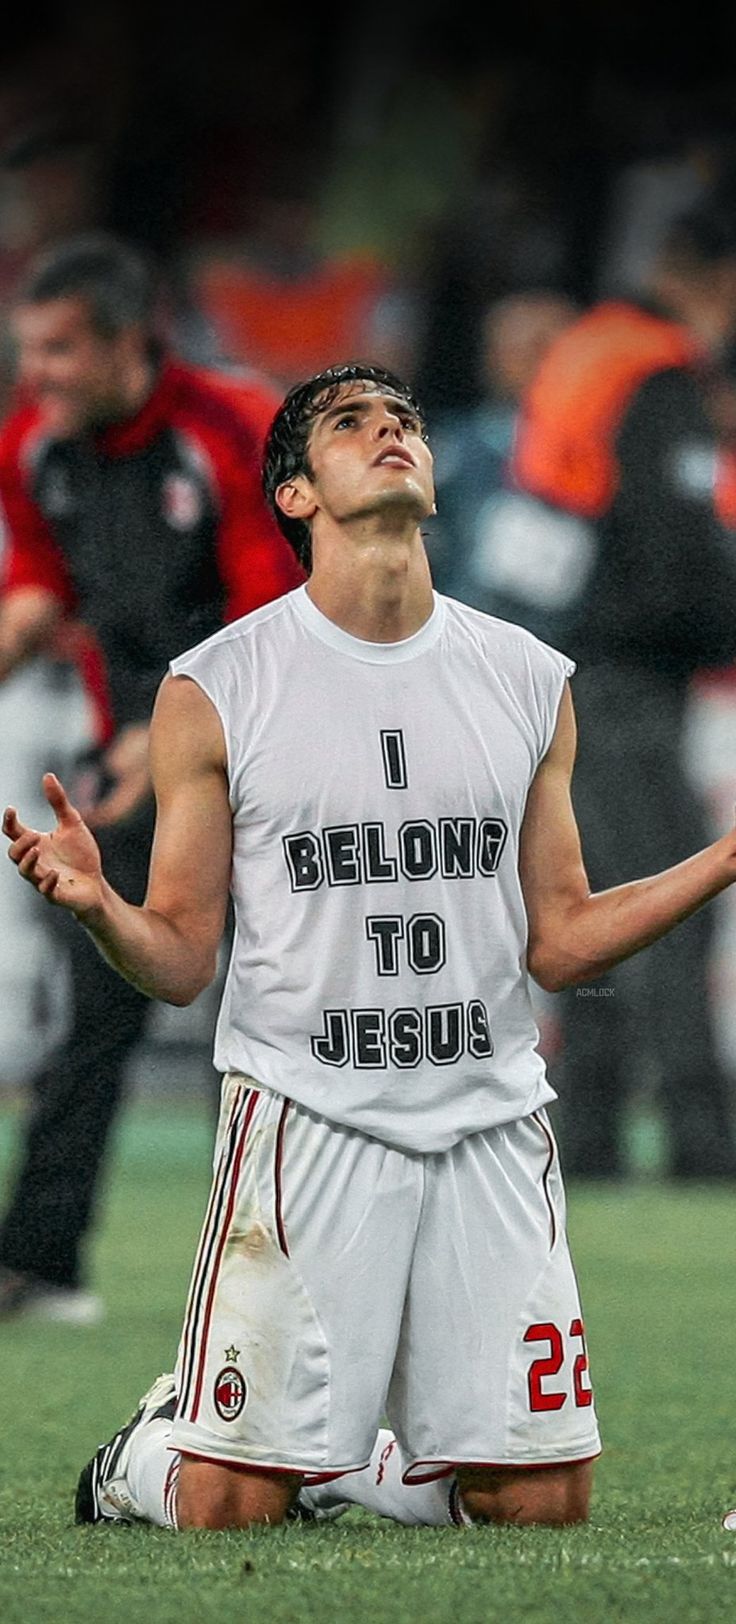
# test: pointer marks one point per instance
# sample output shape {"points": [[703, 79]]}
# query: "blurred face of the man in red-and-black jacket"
{"points": [[67, 368]]}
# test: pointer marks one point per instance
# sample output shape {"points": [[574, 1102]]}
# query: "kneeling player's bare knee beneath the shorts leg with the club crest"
{"points": [[210, 1497]]}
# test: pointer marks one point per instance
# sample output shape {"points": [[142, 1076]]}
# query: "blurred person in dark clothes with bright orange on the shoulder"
{"points": [[612, 550]]}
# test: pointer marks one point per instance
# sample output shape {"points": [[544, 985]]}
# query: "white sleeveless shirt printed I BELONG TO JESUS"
{"points": [[378, 790]]}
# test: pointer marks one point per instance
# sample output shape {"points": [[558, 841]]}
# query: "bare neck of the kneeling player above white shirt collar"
{"points": [[381, 595]]}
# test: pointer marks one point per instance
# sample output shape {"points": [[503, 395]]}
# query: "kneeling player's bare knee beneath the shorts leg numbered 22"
{"points": [[552, 1497]]}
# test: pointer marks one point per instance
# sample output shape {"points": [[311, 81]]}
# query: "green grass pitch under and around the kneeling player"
{"points": [[657, 1274]]}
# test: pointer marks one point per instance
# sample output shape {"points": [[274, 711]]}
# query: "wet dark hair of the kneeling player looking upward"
{"points": [[287, 451]]}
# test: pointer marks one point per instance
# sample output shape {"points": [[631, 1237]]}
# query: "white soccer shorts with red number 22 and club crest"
{"points": [[340, 1284]]}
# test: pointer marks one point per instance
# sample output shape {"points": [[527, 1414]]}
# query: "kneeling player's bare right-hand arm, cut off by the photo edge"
{"points": [[578, 935]]}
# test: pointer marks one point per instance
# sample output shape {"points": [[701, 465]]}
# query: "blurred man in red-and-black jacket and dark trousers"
{"points": [[136, 524]]}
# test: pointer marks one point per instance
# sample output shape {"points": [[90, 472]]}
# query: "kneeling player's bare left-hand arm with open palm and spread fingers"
{"points": [[168, 948]]}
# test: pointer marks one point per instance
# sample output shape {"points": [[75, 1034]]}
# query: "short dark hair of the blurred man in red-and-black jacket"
{"points": [[116, 282]]}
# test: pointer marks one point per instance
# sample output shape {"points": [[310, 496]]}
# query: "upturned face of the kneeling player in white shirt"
{"points": [[368, 456]]}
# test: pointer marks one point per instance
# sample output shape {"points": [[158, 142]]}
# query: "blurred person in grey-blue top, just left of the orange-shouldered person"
{"points": [[474, 447]]}
